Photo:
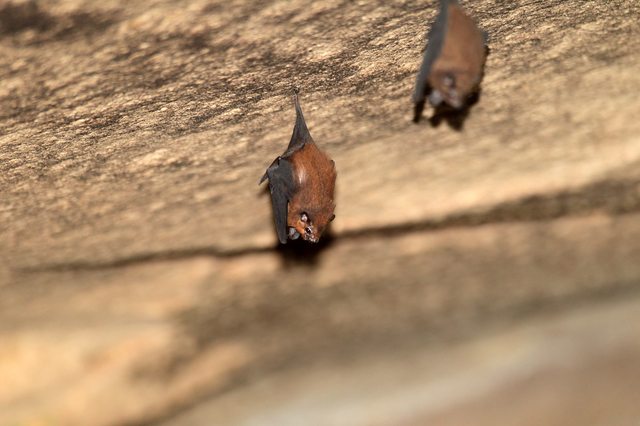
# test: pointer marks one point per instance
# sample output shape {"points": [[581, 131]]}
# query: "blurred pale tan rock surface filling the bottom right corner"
{"points": [[543, 372]]}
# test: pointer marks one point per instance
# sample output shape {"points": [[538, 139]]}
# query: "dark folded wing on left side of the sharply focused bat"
{"points": [[280, 176]]}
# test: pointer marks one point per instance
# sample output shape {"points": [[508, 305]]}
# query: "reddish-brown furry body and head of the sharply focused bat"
{"points": [[314, 176]]}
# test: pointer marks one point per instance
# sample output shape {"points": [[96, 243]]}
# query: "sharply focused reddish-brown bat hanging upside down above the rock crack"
{"points": [[302, 183]]}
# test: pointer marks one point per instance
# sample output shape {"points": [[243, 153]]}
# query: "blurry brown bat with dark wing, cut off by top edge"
{"points": [[453, 60]]}
